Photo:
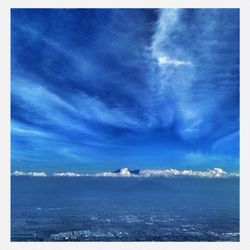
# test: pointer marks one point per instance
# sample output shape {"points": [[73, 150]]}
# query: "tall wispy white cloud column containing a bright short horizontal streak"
{"points": [[177, 78]]}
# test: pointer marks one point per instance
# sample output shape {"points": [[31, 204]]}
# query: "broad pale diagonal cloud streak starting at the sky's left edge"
{"points": [[50, 107]]}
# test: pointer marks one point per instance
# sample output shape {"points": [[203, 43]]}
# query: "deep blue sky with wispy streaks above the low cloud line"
{"points": [[95, 90]]}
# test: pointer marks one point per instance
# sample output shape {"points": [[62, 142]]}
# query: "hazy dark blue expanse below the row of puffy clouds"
{"points": [[124, 209]]}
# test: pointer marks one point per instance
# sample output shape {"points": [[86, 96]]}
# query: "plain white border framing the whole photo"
{"points": [[5, 208]]}
